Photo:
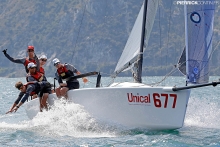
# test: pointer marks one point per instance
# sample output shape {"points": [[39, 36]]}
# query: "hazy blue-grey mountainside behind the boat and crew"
{"points": [[91, 34]]}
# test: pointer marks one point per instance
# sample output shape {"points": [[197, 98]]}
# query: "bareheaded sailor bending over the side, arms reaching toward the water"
{"points": [[28, 89]]}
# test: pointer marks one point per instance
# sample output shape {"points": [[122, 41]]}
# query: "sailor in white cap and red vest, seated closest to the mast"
{"points": [[64, 72]]}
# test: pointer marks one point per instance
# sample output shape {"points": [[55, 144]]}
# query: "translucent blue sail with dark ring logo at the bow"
{"points": [[194, 61]]}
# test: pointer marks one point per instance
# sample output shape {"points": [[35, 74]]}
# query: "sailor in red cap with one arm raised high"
{"points": [[31, 58]]}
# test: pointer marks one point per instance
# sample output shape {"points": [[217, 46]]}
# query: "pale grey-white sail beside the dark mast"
{"points": [[132, 47]]}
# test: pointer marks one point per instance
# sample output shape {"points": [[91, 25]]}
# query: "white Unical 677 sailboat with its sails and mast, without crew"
{"points": [[137, 105]]}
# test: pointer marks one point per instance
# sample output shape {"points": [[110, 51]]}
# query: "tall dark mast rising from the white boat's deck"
{"points": [[140, 56]]}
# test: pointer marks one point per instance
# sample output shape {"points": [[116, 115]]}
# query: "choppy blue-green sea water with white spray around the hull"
{"points": [[68, 124]]}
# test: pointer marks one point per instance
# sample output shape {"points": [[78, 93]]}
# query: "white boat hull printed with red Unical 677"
{"points": [[131, 105]]}
